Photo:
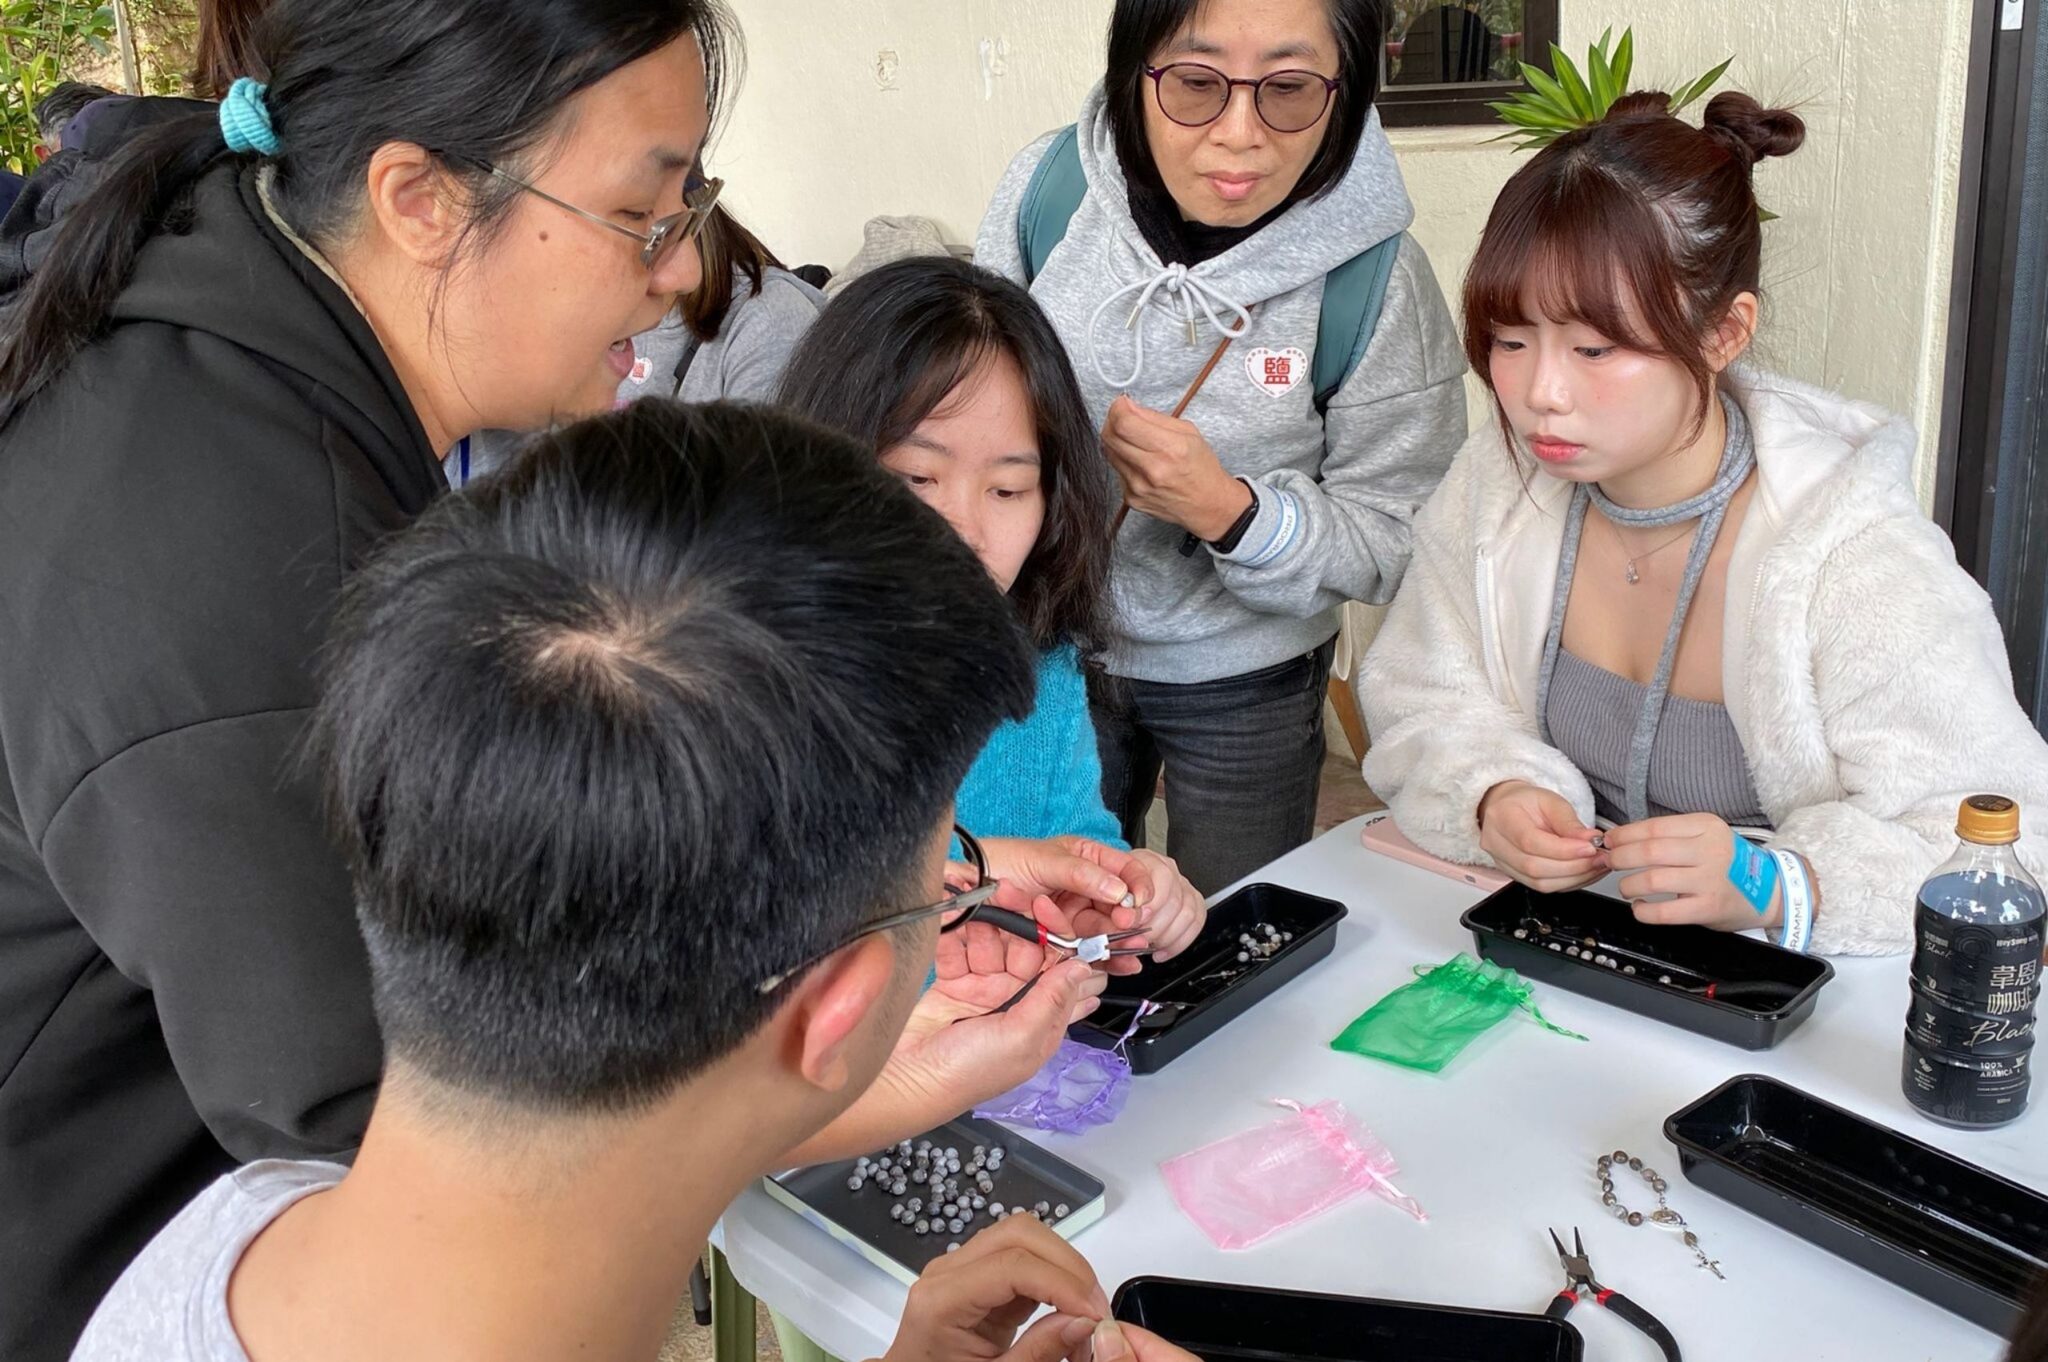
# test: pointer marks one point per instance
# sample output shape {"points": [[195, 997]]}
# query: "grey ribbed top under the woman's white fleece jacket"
{"points": [[1697, 763]]}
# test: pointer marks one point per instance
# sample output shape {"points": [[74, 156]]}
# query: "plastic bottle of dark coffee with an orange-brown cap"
{"points": [[1977, 976]]}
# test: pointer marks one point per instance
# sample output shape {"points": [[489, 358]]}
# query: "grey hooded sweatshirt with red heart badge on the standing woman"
{"points": [[1338, 491]]}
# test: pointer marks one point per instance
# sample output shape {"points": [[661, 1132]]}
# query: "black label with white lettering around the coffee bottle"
{"points": [[1971, 1019]]}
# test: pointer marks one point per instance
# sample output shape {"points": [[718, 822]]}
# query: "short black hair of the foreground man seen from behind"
{"points": [[671, 706]]}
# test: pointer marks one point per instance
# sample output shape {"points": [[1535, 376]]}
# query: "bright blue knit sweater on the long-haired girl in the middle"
{"points": [[1043, 777]]}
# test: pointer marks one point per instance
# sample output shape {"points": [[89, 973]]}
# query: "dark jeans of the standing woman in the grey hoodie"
{"points": [[1244, 759]]}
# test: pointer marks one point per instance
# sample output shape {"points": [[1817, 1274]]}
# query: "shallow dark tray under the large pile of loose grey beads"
{"points": [[861, 1220]]}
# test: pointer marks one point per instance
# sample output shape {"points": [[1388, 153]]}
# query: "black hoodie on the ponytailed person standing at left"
{"points": [[181, 978]]}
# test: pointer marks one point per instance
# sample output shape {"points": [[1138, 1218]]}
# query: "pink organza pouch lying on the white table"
{"points": [[1254, 1185]]}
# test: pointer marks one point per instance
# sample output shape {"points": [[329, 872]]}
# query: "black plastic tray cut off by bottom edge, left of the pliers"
{"points": [[1252, 1324]]}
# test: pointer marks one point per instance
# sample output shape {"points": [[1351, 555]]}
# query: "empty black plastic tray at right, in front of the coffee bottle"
{"points": [[1922, 1220]]}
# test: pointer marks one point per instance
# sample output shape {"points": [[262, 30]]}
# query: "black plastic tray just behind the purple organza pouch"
{"points": [[1205, 988]]}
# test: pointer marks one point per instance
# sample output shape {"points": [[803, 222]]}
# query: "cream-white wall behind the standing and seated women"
{"points": [[1857, 271]]}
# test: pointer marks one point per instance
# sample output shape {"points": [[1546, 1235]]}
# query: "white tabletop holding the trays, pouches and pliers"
{"points": [[1496, 1150]]}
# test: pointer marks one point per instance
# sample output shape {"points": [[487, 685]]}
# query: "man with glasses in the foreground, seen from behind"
{"points": [[601, 687]]}
